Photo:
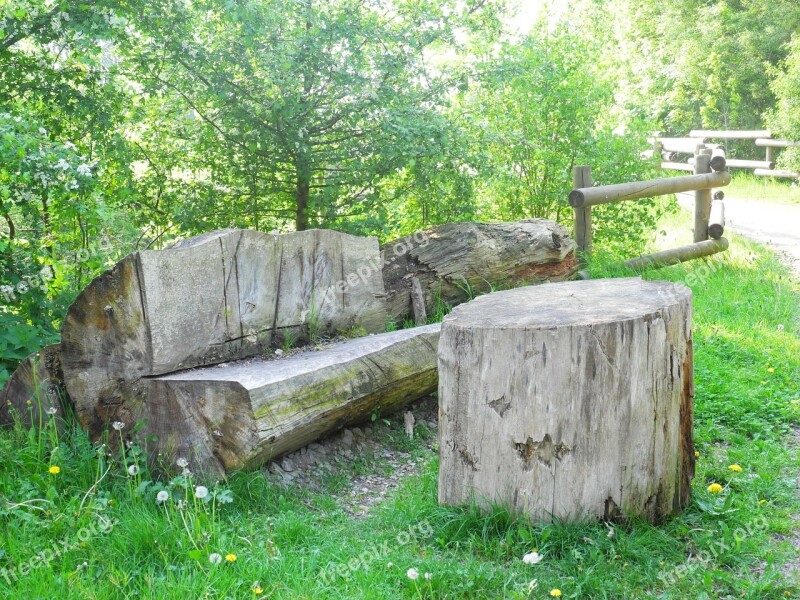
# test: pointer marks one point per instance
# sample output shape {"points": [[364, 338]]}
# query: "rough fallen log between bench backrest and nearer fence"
{"points": [[455, 261]]}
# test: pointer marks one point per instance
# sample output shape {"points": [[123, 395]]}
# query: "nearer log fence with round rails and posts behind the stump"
{"points": [[710, 172]]}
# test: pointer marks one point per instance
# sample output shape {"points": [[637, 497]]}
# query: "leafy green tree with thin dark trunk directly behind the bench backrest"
{"points": [[311, 103]]}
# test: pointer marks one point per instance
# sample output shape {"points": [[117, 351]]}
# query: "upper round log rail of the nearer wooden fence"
{"points": [[646, 189]]}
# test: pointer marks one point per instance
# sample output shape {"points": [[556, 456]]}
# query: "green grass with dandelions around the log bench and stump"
{"points": [[113, 540]]}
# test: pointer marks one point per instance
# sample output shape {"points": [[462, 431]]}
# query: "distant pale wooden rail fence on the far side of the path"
{"points": [[673, 151]]}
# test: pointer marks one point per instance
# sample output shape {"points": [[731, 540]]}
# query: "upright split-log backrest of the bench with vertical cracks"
{"points": [[218, 297]]}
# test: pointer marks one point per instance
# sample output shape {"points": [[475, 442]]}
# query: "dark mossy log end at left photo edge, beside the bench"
{"points": [[35, 388]]}
